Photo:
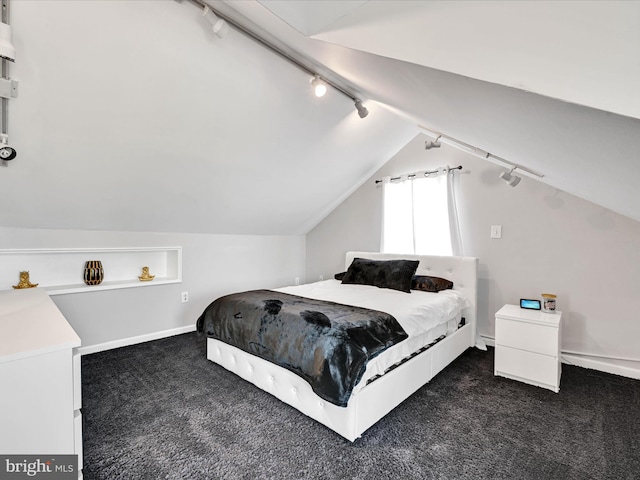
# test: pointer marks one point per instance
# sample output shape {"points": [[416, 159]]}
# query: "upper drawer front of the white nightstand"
{"points": [[527, 336]]}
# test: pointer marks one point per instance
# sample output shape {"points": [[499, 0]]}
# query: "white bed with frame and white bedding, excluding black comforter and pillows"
{"points": [[393, 374]]}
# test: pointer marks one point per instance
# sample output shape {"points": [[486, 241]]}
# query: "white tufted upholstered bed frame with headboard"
{"points": [[374, 401]]}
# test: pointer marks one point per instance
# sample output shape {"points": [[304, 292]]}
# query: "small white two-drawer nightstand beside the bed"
{"points": [[528, 346]]}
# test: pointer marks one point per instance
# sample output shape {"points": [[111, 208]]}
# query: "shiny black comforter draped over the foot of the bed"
{"points": [[327, 344]]}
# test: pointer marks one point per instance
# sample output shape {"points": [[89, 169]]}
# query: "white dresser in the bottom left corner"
{"points": [[40, 398]]}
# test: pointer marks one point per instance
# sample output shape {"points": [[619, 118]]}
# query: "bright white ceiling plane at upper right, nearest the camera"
{"points": [[575, 51]]}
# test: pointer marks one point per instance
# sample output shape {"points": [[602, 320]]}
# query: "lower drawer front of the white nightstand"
{"points": [[541, 370]]}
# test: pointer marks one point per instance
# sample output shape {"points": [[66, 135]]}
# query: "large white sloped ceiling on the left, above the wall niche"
{"points": [[132, 116]]}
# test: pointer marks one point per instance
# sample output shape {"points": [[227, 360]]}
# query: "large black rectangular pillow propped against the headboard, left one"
{"points": [[393, 274]]}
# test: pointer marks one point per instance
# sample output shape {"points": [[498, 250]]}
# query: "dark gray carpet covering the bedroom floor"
{"points": [[161, 410]]}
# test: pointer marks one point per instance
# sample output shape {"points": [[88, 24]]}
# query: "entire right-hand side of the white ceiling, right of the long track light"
{"points": [[551, 86]]}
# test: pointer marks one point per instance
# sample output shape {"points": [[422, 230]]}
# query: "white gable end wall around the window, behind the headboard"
{"points": [[552, 242]]}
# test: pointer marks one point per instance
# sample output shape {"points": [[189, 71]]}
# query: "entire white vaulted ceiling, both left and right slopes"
{"points": [[133, 116]]}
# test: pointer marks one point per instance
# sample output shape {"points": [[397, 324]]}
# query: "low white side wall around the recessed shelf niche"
{"points": [[213, 265]]}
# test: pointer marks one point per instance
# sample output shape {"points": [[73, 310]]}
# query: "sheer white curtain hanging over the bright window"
{"points": [[419, 215]]}
